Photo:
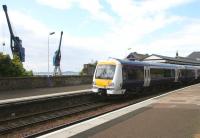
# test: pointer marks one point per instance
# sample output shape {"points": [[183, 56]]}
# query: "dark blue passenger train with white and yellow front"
{"points": [[122, 76]]}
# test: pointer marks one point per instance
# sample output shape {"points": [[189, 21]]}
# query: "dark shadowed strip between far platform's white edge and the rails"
{"points": [[21, 109]]}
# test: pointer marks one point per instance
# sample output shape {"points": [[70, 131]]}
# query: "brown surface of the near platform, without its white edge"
{"points": [[174, 116]]}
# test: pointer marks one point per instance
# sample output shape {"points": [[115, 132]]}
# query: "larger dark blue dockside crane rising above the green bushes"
{"points": [[15, 41]]}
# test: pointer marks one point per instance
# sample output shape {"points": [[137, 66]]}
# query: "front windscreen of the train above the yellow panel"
{"points": [[105, 72]]}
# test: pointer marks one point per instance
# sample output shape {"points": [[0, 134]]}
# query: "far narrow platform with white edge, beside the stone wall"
{"points": [[26, 94]]}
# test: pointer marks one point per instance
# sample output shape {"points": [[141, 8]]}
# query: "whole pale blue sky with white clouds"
{"points": [[99, 29]]}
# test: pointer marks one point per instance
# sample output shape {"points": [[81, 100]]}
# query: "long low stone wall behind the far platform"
{"points": [[42, 82]]}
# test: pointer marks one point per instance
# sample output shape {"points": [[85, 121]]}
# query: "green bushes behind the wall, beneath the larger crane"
{"points": [[12, 67]]}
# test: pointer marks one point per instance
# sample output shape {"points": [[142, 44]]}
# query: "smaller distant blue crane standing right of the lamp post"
{"points": [[57, 58]]}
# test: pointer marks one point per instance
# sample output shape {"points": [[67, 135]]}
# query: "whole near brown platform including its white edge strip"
{"points": [[172, 115]]}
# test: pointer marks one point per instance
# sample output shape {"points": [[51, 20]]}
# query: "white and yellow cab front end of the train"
{"points": [[108, 78]]}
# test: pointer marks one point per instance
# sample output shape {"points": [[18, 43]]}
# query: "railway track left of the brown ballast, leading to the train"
{"points": [[17, 123]]}
